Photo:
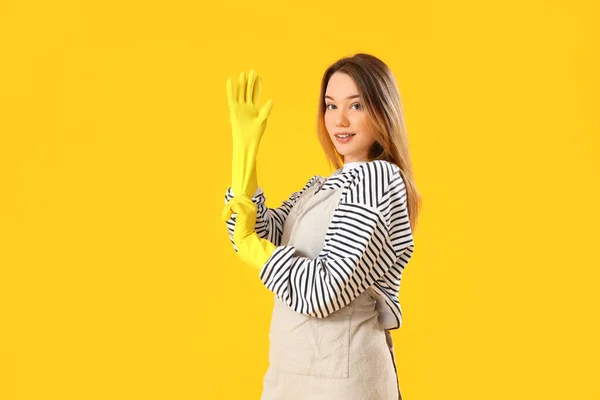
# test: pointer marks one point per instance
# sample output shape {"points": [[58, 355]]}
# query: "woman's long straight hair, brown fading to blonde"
{"points": [[381, 97]]}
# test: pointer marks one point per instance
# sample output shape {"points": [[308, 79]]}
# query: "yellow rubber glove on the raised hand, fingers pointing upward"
{"points": [[248, 124]]}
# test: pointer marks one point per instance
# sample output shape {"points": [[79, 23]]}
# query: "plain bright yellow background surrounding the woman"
{"points": [[117, 278]]}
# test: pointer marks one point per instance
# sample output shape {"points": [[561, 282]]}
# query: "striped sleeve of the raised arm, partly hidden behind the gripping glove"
{"points": [[269, 221]]}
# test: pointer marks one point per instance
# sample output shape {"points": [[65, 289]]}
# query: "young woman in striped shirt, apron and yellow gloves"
{"points": [[333, 252]]}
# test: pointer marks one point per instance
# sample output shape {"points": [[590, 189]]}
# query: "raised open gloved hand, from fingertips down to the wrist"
{"points": [[248, 123]]}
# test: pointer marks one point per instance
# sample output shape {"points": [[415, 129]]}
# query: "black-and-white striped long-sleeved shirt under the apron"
{"points": [[368, 244]]}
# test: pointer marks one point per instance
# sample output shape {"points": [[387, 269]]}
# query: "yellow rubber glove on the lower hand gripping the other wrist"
{"points": [[252, 249]]}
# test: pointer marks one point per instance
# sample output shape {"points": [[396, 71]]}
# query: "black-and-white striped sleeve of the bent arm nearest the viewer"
{"points": [[364, 240]]}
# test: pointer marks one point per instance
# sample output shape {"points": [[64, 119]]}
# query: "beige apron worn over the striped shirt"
{"points": [[345, 356]]}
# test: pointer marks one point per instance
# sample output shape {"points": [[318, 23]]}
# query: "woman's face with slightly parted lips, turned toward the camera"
{"points": [[344, 114]]}
